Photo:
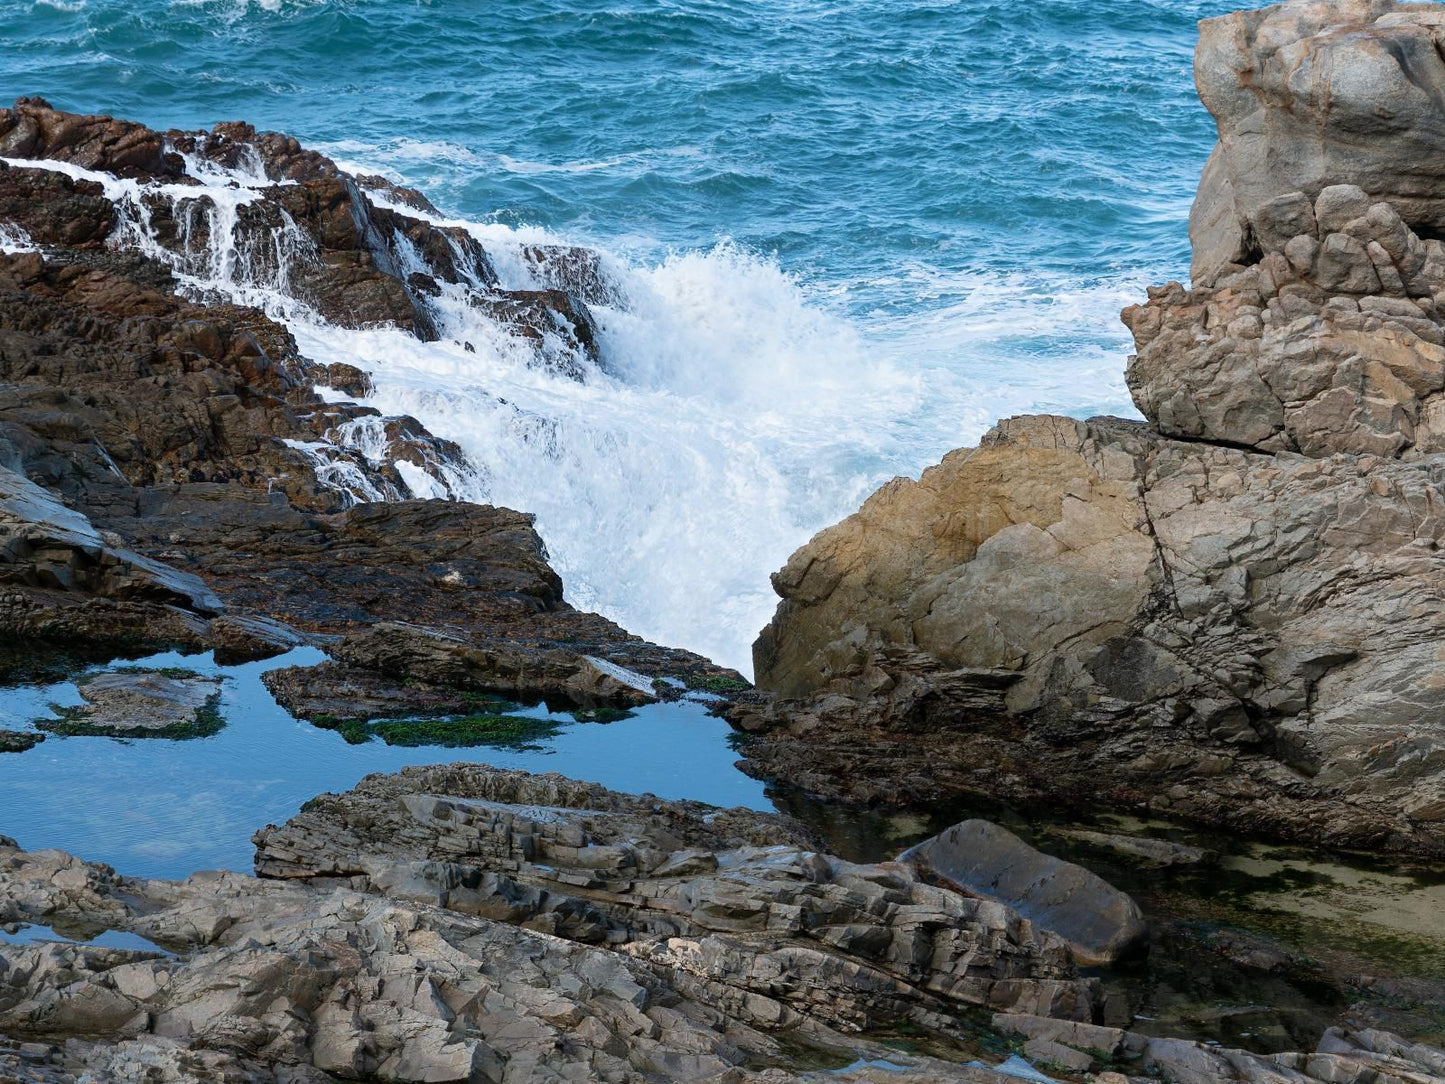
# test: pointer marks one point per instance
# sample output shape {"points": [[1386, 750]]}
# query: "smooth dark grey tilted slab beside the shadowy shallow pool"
{"points": [[979, 858]]}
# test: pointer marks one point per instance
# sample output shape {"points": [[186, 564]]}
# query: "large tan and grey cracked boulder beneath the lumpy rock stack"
{"points": [[1229, 637]]}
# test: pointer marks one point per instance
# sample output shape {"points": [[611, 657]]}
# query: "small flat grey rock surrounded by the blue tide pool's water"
{"points": [[144, 705]]}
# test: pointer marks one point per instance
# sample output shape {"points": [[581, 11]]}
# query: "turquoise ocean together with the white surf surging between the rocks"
{"points": [[850, 235]]}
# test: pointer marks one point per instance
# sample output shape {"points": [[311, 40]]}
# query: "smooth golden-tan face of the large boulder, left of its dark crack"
{"points": [[967, 540]]}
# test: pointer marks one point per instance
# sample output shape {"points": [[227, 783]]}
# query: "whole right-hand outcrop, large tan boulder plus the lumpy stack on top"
{"points": [[1232, 614]]}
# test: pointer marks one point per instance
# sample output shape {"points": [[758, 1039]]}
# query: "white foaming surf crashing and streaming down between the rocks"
{"points": [[736, 416]]}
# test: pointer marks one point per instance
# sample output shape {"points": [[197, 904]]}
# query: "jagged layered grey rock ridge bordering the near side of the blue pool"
{"points": [[736, 898]]}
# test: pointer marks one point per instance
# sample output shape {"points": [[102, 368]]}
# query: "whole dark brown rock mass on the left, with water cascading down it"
{"points": [[170, 472]]}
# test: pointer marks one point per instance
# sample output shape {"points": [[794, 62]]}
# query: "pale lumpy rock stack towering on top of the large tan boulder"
{"points": [[1314, 320]]}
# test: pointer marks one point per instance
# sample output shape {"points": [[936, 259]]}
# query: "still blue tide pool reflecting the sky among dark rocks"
{"points": [[161, 809]]}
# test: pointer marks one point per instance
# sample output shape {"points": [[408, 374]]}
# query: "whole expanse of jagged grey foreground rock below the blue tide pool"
{"points": [[465, 924]]}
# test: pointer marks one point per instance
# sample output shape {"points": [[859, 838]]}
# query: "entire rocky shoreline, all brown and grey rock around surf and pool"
{"points": [[1228, 615]]}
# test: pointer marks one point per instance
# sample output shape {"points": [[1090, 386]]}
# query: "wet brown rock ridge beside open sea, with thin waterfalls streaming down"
{"points": [[359, 251]]}
